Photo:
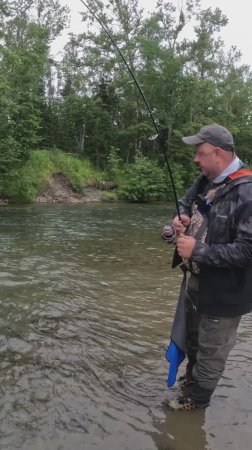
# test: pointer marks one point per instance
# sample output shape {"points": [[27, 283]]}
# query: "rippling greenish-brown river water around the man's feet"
{"points": [[86, 306]]}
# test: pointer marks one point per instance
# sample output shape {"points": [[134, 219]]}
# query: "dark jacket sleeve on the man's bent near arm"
{"points": [[234, 254]]}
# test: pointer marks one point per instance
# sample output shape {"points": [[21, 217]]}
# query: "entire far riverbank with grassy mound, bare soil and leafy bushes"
{"points": [[51, 176]]}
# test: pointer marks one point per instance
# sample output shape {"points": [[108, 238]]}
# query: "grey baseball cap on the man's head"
{"points": [[213, 134]]}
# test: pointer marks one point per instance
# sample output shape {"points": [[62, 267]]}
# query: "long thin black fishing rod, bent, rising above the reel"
{"points": [[158, 135]]}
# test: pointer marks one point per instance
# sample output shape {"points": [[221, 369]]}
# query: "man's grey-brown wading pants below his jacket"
{"points": [[209, 342]]}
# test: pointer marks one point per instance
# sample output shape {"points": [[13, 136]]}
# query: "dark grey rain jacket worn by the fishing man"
{"points": [[225, 259]]}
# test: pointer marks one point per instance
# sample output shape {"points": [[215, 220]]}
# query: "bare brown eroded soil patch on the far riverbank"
{"points": [[58, 189]]}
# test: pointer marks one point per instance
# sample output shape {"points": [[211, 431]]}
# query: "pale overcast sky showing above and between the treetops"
{"points": [[236, 33]]}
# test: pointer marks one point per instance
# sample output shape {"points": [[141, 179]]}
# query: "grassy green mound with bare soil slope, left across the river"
{"points": [[53, 177]]}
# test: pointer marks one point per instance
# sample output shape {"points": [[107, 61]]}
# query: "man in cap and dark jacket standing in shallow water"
{"points": [[214, 241]]}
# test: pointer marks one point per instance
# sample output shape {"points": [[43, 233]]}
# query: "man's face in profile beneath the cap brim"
{"points": [[207, 159]]}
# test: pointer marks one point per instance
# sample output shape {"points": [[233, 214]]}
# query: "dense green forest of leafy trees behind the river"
{"points": [[86, 104]]}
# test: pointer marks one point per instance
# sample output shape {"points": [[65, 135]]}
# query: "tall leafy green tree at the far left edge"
{"points": [[27, 28]]}
